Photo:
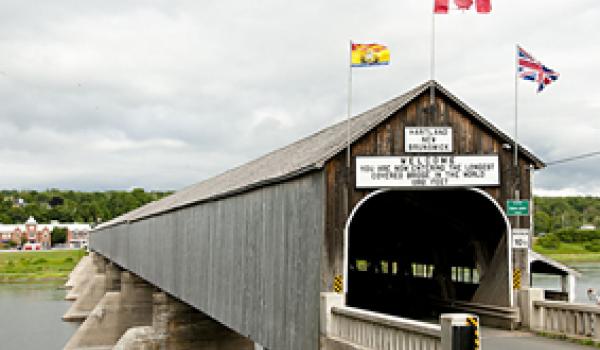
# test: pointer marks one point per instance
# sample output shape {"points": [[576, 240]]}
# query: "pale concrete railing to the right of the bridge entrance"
{"points": [[570, 319]]}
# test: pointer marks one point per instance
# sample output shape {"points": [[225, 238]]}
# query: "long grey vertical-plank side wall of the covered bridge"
{"points": [[251, 261]]}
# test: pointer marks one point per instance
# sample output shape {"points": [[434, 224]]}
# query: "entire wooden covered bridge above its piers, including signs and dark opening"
{"points": [[255, 246]]}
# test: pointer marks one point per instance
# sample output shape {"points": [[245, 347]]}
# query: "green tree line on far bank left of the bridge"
{"points": [[71, 206]]}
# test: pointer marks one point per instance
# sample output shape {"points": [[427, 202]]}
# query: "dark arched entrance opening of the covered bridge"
{"points": [[416, 253]]}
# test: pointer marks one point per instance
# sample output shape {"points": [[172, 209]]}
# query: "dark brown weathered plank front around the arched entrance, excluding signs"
{"points": [[469, 137]]}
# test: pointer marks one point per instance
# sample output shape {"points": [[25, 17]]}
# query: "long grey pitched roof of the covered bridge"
{"points": [[307, 154]]}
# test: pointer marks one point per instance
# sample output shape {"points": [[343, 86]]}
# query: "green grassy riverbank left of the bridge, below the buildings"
{"points": [[30, 266]]}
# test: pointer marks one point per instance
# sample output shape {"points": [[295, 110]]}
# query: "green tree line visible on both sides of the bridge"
{"points": [[551, 213]]}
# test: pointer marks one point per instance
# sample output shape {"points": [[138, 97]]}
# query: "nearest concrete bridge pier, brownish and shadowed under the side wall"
{"points": [[178, 326]]}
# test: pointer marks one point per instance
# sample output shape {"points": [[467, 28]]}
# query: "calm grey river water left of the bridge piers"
{"points": [[30, 316]]}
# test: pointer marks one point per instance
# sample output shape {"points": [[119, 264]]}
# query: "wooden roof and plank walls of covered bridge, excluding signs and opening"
{"points": [[253, 247]]}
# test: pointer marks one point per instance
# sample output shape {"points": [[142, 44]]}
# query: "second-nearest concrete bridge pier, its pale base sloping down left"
{"points": [[116, 312]]}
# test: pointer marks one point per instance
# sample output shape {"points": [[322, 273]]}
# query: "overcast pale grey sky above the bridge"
{"points": [[99, 95]]}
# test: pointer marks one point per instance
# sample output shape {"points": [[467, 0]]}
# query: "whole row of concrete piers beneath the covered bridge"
{"points": [[120, 310]]}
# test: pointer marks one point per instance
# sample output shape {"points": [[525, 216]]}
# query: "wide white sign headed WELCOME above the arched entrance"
{"points": [[427, 171]]}
